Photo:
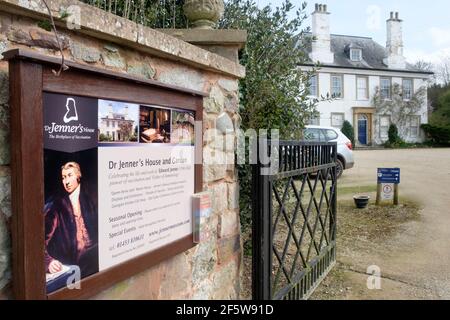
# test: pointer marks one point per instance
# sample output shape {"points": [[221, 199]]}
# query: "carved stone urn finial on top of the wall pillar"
{"points": [[203, 14]]}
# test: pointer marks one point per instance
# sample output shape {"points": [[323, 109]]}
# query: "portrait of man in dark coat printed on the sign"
{"points": [[71, 226]]}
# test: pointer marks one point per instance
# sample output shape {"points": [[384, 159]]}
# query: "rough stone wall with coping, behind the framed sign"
{"points": [[212, 269]]}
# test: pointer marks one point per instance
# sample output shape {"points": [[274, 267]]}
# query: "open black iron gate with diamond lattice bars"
{"points": [[294, 219]]}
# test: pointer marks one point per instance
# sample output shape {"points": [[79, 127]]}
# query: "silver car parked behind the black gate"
{"points": [[330, 134]]}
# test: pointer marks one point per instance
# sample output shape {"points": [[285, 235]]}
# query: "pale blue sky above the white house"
{"points": [[426, 24]]}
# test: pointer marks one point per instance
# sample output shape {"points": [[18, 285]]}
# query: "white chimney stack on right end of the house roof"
{"points": [[394, 44]]}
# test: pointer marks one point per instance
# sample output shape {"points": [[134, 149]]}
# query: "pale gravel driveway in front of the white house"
{"points": [[418, 266]]}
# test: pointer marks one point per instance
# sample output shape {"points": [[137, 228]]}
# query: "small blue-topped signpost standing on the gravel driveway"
{"points": [[388, 181]]}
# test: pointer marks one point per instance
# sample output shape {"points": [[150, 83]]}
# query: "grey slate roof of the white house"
{"points": [[373, 54]]}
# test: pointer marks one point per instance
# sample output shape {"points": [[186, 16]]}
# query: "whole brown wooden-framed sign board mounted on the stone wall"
{"points": [[104, 166]]}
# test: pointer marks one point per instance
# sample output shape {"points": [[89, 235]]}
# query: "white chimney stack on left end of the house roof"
{"points": [[321, 44]]}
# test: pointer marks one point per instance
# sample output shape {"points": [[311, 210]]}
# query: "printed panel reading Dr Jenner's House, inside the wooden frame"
{"points": [[118, 183]]}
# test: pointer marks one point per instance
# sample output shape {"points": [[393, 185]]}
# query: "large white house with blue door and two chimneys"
{"points": [[352, 69]]}
